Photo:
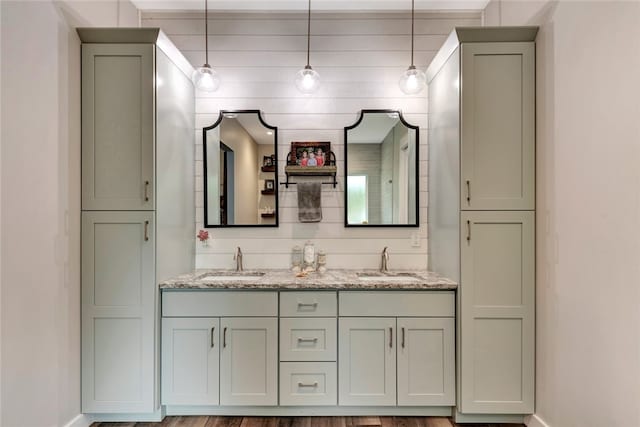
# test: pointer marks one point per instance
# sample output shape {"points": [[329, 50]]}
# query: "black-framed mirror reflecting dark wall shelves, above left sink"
{"points": [[240, 171]]}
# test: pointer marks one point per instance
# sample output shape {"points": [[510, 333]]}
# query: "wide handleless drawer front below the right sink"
{"points": [[398, 303]]}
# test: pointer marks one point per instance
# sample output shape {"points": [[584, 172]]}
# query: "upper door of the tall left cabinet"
{"points": [[117, 126]]}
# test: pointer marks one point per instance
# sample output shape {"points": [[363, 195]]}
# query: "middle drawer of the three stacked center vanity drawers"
{"points": [[308, 339]]}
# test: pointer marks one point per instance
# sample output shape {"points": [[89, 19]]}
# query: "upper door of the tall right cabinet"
{"points": [[498, 126]]}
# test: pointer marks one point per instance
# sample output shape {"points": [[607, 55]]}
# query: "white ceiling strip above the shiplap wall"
{"points": [[316, 5]]}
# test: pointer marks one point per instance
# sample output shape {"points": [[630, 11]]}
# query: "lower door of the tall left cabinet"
{"points": [[118, 312]]}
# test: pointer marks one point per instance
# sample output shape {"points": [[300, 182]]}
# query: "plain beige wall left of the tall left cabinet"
{"points": [[40, 208]]}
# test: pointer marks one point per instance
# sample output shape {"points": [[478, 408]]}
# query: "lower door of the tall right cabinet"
{"points": [[497, 295]]}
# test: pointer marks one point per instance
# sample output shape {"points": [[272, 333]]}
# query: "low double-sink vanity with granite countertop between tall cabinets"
{"points": [[331, 344]]}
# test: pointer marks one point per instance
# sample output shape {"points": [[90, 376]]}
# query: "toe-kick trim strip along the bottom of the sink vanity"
{"points": [[274, 411]]}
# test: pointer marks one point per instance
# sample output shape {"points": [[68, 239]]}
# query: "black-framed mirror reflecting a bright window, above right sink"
{"points": [[381, 169]]}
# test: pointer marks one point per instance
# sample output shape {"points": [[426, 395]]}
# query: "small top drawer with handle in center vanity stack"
{"points": [[308, 304]]}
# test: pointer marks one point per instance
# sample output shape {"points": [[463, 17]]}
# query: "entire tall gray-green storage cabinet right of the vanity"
{"points": [[482, 212]]}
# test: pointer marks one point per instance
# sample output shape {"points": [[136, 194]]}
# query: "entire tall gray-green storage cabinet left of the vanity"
{"points": [[137, 209]]}
